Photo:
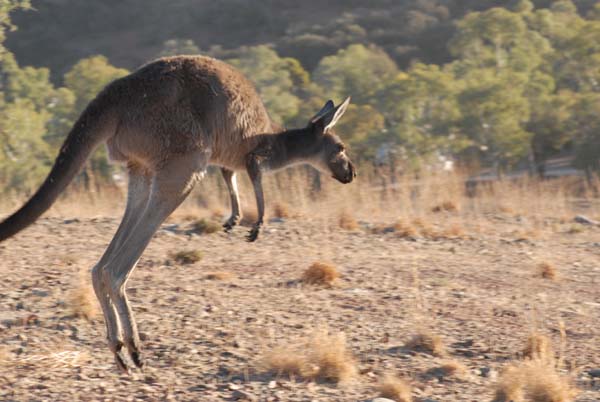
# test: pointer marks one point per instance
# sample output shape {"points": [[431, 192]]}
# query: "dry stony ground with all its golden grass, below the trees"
{"points": [[411, 291]]}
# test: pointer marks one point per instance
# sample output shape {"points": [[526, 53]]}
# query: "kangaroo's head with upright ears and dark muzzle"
{"points": [[331, 157]]}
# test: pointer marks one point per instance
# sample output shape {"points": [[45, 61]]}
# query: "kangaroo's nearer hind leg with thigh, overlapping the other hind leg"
{"points": [[170, 186]]}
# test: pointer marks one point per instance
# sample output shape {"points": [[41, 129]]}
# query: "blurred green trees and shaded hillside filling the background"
{"points": [[498, 83]]}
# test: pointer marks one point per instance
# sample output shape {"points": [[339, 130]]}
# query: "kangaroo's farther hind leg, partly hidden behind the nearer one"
{"points": [[137, 198]]}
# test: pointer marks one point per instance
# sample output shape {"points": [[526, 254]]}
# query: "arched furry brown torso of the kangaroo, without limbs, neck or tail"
{"points": [[179, 103]]}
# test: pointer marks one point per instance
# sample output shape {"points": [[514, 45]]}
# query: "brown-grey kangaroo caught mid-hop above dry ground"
{"points": [[167, 122]]}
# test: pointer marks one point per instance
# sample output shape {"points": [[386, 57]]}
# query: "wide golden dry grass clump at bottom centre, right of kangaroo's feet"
{"points": [[320, 356]]}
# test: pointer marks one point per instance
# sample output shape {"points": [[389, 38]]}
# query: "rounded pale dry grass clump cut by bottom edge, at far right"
{"points": [[533, 380]]}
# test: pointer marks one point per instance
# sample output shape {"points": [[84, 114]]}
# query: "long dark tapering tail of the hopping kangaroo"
{"points": [[94, 126]]}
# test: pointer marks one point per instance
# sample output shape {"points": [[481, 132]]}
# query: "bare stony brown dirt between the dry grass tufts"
{"points": [[205, 339]]}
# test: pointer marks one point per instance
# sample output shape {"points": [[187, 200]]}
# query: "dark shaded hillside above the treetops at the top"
{"points": [[58, 33]]}
